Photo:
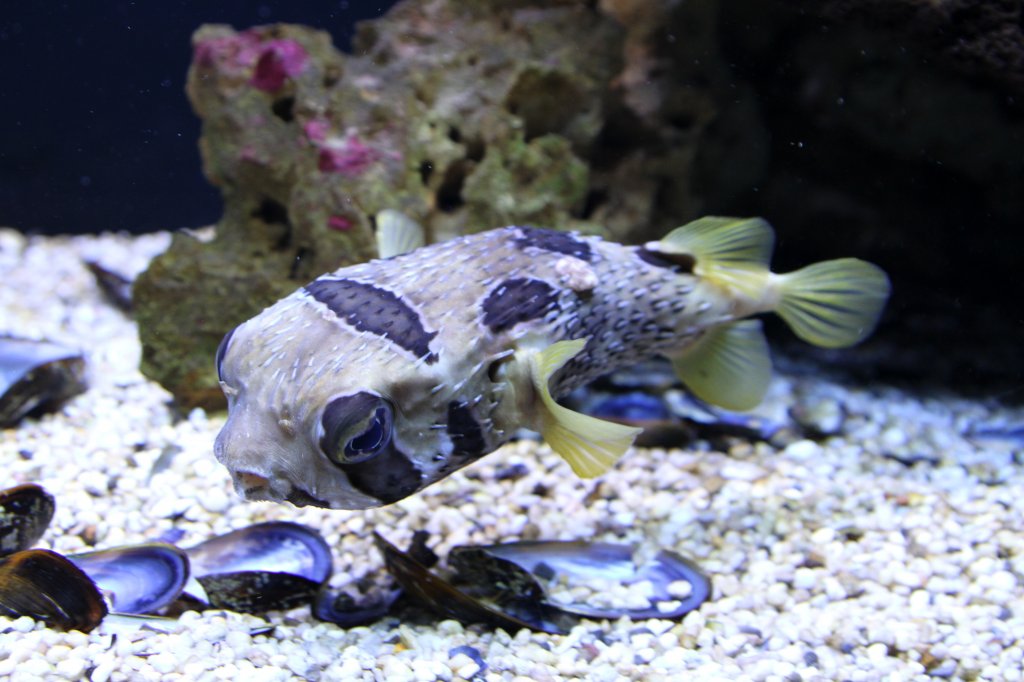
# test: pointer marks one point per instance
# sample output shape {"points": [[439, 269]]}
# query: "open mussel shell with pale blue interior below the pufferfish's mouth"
{"points": [[262, 568]]}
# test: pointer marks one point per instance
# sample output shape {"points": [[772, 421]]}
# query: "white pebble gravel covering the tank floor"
{"points": [[830, 561]]}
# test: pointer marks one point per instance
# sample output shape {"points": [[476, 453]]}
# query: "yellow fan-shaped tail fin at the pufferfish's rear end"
{"points": [[835, 304]]}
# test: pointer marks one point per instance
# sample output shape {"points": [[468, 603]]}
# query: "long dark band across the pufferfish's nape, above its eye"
{"points": [[376, 311]]}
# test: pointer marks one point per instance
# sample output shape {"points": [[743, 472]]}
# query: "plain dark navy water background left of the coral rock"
{"points": [[98, 133]]}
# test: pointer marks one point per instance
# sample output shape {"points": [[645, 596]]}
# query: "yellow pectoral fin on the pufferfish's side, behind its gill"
{"points": [[590, 446]]}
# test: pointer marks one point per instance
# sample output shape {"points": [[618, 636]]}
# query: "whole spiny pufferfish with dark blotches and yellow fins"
{"points": [[377, 380]]}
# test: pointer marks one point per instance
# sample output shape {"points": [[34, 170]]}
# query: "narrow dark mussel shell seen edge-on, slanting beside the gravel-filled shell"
{"points": [[442, 599]]}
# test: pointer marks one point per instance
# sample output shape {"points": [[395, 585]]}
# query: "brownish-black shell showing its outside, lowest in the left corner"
{"points": [[48, 587]]}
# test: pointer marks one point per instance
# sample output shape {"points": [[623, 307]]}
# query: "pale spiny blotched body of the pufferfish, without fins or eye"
{"points": [[442, 334]]}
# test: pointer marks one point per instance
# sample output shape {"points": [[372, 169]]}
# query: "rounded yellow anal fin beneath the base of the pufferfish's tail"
{"points": [[730, 366]]}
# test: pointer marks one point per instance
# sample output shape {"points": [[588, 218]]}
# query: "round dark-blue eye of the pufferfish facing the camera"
{"points": [[356, 428]]}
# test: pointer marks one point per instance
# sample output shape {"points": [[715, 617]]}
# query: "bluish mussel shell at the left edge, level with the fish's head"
{"points": [[36, 377]]}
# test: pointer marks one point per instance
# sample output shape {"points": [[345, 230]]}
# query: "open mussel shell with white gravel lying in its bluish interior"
{"points": [[510, 569]]}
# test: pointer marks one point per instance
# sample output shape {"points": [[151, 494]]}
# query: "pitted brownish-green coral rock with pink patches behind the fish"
{"points": [[464, 116]]}
